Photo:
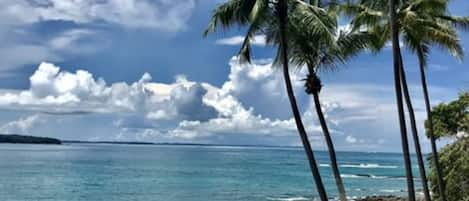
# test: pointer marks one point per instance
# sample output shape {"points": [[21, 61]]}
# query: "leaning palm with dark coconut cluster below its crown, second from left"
{"points": [[308, 49]]}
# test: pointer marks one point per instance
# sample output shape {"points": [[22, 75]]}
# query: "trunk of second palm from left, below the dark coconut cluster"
{"points": [[330, 147]]}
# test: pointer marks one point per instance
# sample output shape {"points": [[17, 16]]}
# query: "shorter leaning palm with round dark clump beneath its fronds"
{"points": [[316, 56]]}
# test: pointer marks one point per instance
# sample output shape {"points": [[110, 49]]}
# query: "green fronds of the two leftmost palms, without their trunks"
{"points": [[313, 39]]}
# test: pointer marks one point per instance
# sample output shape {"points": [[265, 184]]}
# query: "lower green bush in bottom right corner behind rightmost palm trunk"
{"points": [[454, 160]]}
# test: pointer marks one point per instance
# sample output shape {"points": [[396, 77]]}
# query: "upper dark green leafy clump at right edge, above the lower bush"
{"points": [[450, 118]]}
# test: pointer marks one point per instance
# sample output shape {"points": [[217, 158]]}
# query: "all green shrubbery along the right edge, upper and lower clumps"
{"points": [[448, 120]]}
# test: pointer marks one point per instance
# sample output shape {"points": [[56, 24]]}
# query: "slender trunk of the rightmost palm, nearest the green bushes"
{"points": [[436, 160]]}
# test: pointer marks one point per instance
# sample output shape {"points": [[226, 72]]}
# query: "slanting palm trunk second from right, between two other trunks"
{"points": [[418, 151]]}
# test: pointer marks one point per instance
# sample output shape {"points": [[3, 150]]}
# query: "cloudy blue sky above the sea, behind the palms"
{"points": [[140, 70]]}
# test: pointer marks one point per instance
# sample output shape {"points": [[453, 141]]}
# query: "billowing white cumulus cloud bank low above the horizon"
{"points": [[249, 108]]}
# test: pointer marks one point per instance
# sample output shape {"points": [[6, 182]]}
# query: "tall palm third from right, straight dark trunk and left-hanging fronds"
{"points": [[381, 17]]}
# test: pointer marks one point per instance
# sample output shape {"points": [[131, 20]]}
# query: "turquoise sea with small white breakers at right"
{"points": [[78, 172]]}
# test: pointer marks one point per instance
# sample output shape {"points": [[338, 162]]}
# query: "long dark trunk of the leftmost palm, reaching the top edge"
{"points": [[282, 10]]}
